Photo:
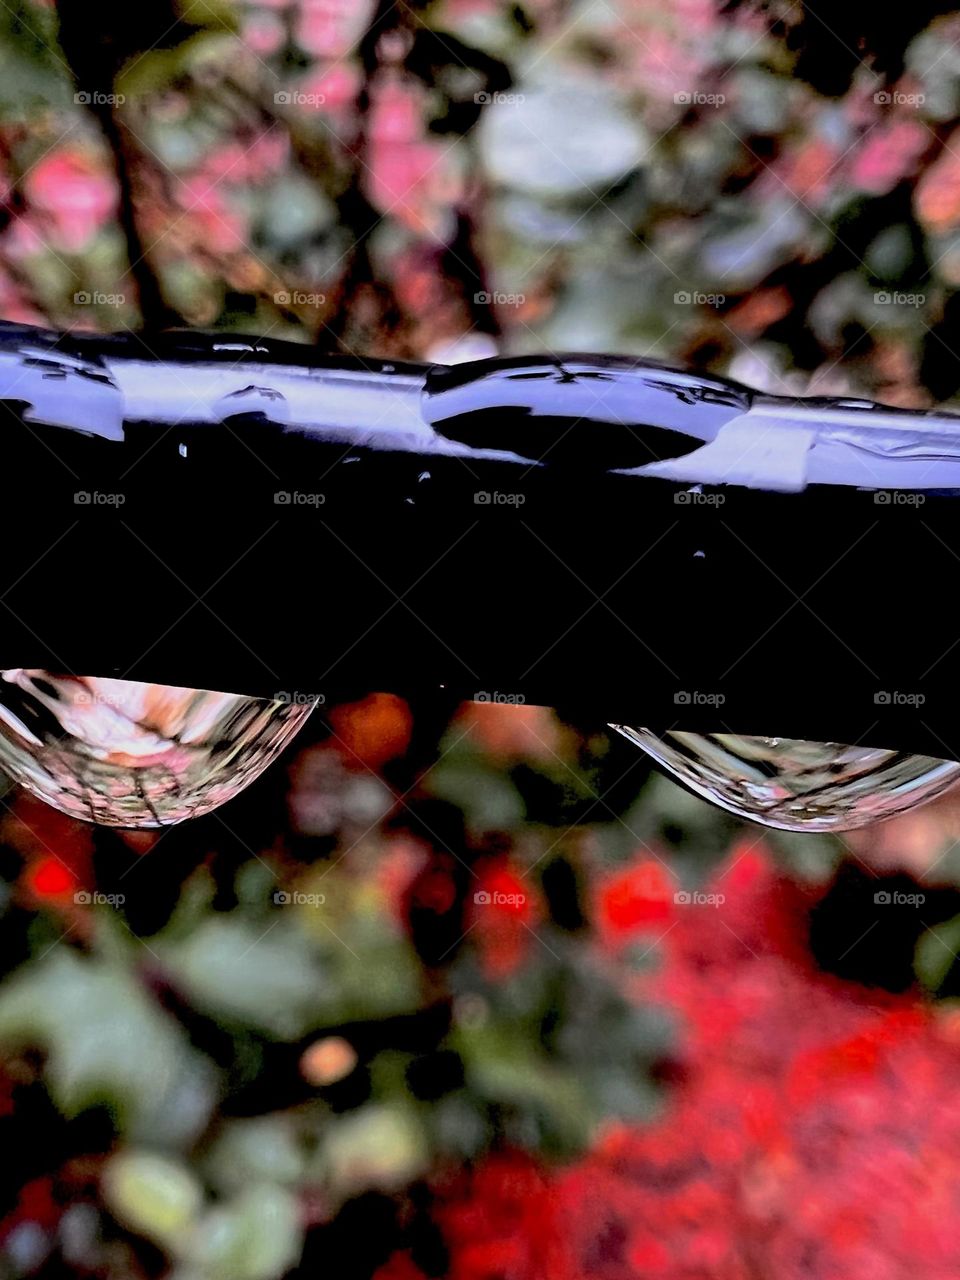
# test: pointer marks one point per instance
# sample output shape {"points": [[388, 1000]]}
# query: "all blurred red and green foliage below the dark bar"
{"points": [[474, 999]]}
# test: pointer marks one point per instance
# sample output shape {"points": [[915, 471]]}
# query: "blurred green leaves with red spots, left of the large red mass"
{"points": [[244, 1026]]}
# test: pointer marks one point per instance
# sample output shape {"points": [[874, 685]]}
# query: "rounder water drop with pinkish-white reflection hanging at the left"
{"points": [[132, 755]]}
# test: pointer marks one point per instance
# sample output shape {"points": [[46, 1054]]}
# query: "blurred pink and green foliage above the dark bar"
{"points": [[729, 186]]}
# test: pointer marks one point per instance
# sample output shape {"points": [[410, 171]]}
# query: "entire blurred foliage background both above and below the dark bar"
{"points": [[465, 990]]}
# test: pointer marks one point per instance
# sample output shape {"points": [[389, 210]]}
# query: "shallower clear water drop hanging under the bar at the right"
{"points": [[797, 785]]}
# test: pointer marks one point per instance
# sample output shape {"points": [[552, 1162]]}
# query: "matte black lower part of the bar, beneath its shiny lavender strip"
{"points": [[820, 615]]}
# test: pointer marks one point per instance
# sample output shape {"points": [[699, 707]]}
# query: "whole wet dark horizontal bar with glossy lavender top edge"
{"points": [[551, 531]]}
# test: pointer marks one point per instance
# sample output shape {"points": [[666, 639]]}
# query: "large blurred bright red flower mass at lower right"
{"points": [[813, 1128]]}
